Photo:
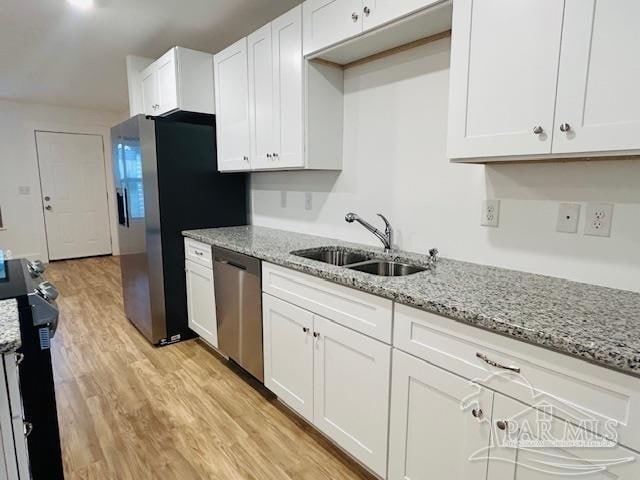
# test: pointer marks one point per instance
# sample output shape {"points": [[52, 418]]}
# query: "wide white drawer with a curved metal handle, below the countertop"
{"points": [[574, 388]]}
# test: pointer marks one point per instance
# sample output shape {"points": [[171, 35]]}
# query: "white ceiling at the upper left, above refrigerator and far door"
{"points": [[51, 52]]}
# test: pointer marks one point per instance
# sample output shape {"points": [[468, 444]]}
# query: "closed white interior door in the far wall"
{"points": [[74, 194]]}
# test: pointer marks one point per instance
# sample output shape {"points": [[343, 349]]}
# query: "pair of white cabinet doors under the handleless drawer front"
{"points": [[336, 378]]}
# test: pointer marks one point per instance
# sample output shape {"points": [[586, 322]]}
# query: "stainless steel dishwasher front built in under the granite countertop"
{"points": [[237, 282]]}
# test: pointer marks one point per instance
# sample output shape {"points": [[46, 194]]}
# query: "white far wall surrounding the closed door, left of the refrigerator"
{"points": [[24, 232]]}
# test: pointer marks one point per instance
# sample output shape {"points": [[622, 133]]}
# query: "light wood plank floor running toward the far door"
{"points": [[128, 410]]}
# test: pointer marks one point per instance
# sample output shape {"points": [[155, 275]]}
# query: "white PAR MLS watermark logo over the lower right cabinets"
{"points": [[548, 435]]}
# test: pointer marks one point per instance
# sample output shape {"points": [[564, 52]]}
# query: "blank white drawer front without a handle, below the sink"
{"points": [[360, 311]]}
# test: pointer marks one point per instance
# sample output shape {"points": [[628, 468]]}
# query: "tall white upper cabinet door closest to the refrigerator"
{"points": [[232, 107]]}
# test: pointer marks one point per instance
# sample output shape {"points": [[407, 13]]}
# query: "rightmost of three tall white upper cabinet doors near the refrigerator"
{"points": [[287, 83]]}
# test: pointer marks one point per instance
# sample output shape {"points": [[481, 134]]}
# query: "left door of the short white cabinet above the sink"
{"points": [[330, 21]]}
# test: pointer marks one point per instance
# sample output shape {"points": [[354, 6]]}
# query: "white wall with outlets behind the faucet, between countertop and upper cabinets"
{"points": [[395, 162]]}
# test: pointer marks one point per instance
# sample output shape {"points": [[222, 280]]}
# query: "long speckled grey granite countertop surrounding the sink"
{"points": [[598, 324]]}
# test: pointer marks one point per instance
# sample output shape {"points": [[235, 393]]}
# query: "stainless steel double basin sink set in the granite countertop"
{"points": [[360, 262]]}
